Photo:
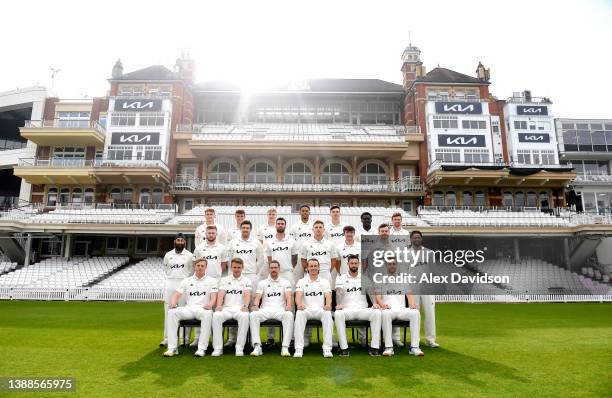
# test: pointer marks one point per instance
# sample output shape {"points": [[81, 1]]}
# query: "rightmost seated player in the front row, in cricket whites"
{"points": [[392, 301]]}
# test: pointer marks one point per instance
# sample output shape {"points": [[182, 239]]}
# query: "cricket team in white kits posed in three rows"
{"points": [[288, 274]]}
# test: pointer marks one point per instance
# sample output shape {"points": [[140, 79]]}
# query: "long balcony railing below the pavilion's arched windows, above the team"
{"points": [[190, 183]]}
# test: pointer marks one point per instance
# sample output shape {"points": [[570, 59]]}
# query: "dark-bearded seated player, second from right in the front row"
{"points": [[353, 304]]}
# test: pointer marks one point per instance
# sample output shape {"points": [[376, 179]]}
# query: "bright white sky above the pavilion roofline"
{"points": [[557, 49]]}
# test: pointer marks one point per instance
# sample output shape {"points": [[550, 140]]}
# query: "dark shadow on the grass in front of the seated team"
{"points": [[357, 374]]}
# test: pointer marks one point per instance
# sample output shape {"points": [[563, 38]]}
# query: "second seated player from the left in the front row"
{"points": [[232, 303]]}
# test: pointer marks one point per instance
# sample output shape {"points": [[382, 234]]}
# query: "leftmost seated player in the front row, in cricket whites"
{"points": [[200, 292]]}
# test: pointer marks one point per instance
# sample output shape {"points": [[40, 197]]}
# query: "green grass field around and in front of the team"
{"points": [[501, 350]]}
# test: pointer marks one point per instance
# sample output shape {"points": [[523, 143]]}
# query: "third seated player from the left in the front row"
{"points": [[275, 296]]}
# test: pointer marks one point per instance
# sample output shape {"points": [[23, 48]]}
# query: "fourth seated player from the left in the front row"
{"points": [[313, 301]]}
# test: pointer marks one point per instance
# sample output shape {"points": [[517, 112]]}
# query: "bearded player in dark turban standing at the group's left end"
{"points": [[178, 264]]}
